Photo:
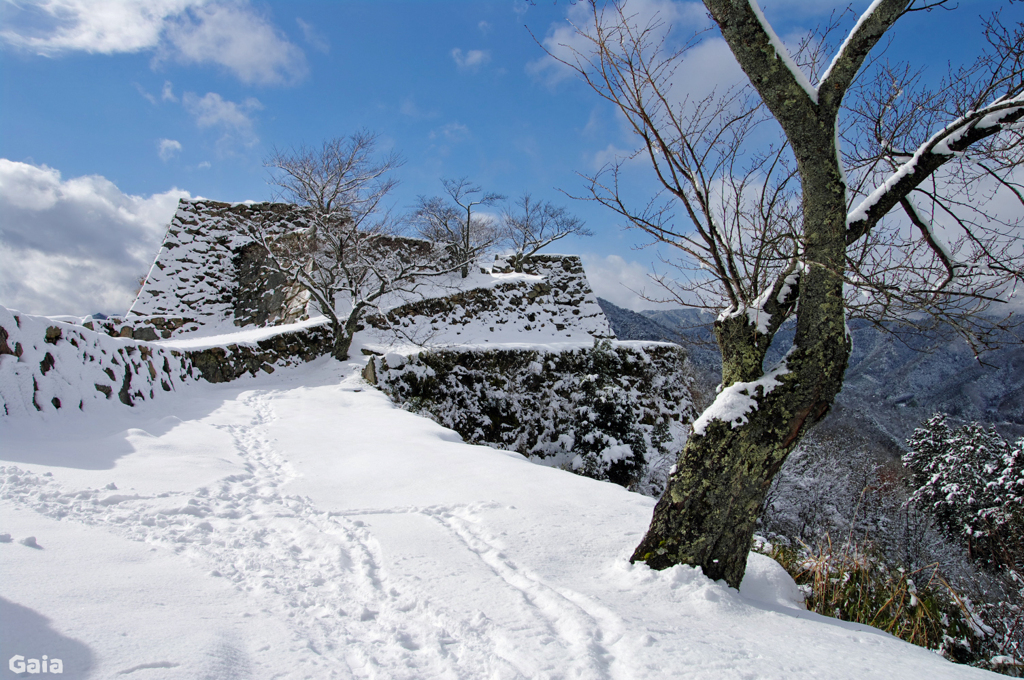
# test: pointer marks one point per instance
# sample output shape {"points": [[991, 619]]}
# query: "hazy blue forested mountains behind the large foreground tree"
{"points": [[892, 385]]}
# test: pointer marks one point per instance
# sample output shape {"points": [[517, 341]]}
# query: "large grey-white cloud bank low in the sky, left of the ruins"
{"points": [[75, 246]]}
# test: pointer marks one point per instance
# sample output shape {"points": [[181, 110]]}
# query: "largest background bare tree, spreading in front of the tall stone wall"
{"points": [[348, 254]]}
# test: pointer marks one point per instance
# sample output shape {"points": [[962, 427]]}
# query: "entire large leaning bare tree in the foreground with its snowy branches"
{"points": [[902, 227]]}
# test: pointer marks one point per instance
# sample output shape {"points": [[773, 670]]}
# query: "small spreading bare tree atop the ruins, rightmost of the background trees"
{"points": [[531, 226]]}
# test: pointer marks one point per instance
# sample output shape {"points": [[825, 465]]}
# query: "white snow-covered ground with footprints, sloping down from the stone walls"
{"points": [[300, 526]]}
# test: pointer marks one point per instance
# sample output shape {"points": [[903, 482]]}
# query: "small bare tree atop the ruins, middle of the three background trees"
{"points": [[451, 222]]}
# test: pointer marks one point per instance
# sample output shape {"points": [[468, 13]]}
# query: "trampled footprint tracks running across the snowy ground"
{"points": [[322, 572]]}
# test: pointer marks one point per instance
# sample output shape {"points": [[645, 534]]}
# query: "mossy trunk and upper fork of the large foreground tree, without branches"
{"points": [[708, 514]]}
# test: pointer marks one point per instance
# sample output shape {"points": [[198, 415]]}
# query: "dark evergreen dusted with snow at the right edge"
{"points": [[972, 481]]}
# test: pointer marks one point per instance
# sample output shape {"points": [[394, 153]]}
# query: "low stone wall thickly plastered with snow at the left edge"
{"points": [[49, 366]]}
